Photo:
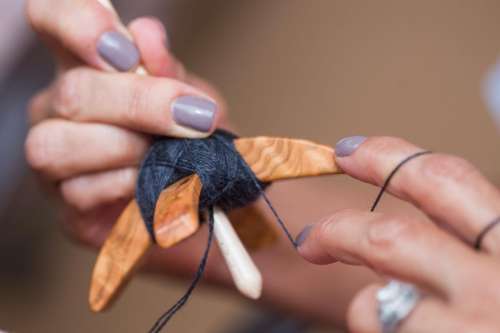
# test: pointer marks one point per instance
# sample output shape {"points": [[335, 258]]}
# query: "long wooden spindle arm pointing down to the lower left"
{"points": [[119, 257]]}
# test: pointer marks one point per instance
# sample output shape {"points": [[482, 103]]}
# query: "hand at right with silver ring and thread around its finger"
{"points": [[462, 286]]}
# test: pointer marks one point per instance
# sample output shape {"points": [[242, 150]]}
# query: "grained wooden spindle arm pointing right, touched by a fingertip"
{"points": [[281, 158]]}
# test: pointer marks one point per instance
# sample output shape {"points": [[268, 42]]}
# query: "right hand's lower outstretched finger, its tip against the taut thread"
{"points": [[397, 246]]}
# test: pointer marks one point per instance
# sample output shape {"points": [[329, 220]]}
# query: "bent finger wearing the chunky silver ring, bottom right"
{"points": [[429, 315]]}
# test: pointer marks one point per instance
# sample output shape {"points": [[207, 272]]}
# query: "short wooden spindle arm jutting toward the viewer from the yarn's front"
{"points": [[176, 213]]}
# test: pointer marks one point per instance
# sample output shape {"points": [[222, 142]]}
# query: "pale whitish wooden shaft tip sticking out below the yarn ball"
{"points": [[245, 274]]}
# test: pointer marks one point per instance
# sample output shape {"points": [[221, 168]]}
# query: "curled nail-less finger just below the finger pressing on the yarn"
{"points": [[60, 149]]}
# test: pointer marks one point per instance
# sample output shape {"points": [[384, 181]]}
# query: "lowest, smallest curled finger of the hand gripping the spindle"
{"points": [[89, 191]]}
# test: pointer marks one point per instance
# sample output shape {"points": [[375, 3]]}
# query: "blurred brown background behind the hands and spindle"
{"points": [[315, 69]]}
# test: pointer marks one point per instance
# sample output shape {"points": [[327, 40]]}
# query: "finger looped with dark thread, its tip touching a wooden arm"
{"points": [[447, 188]]}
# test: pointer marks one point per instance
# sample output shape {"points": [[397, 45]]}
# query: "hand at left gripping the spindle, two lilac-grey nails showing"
{"points": [[91, 127]]}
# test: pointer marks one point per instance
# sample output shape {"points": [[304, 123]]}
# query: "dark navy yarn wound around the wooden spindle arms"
{"points": [[228, 181]]}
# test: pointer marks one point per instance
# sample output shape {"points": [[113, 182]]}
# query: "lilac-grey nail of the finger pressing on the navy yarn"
{"points": [[194, 112]]}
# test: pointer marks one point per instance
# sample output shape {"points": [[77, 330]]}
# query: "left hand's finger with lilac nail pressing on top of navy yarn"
{"points": [[159, 106]]}
